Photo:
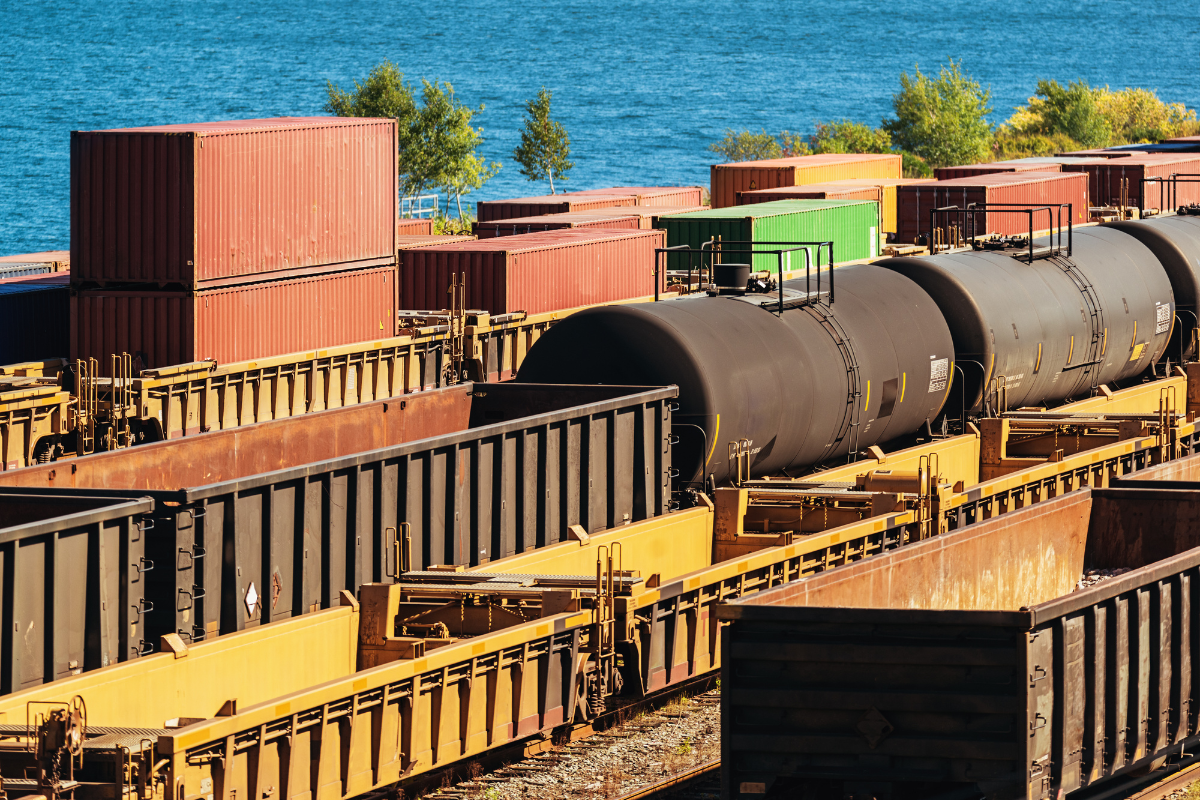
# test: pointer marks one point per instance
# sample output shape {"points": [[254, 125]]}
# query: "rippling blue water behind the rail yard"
{"points": [[643, 87]]}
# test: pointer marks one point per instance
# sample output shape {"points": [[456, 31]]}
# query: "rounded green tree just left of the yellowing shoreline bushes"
{"points": [[943, 121]]}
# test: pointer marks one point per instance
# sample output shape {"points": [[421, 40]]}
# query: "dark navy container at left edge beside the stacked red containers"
{"points": [[35, 318]]}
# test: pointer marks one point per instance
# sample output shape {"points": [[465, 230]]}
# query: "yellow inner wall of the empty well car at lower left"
{"points": [[248, 667]]}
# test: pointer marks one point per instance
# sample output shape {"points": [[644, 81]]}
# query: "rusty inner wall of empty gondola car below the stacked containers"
{"points": [[257, 449]]}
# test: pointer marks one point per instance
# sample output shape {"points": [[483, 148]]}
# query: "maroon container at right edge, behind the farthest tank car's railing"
{"points": [[1119, 182]]}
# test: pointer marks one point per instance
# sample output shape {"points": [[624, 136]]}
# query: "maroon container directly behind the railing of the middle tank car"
{"points": [[916, 201]]}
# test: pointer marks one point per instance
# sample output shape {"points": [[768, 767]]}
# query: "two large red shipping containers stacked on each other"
{"points": [[233, 240]]}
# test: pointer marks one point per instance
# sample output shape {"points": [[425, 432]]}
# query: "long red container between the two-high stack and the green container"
{"points": [[535, 273]]}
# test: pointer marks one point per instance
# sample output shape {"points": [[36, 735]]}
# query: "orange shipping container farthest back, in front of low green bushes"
{"points": [[749, 176]]}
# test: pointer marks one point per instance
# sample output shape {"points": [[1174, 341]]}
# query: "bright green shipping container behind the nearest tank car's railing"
{"points": [[853, 226]]}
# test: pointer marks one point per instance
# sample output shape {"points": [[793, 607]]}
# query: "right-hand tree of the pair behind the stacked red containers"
{"points": [[446, 145]]}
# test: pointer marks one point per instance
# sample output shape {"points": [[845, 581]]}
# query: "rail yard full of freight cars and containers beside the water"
{"points": [[895, 483]]}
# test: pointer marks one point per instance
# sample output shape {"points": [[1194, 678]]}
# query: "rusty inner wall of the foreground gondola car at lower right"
{"points": [[986, 567]]}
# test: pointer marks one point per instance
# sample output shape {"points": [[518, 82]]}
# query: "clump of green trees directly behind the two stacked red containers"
{"points": [[437, 147]]}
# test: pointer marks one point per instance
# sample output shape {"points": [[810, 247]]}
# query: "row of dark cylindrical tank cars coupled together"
{"points": [[783, 383]]}
